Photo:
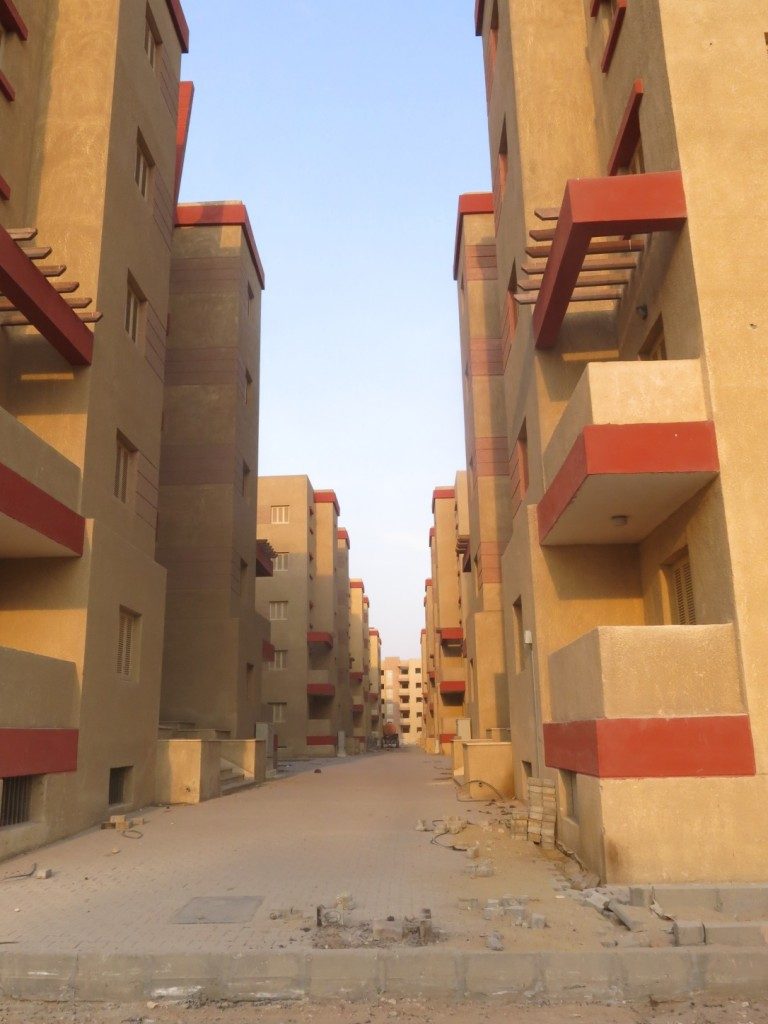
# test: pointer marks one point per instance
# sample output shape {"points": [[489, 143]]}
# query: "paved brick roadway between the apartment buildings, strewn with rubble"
{"points": [[296, 842]]}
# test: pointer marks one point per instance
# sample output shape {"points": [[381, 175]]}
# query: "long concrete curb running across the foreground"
{"points": [[608, 977]]}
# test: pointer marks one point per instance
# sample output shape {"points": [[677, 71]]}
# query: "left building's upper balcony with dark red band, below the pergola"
{"points": [[39, 491]]}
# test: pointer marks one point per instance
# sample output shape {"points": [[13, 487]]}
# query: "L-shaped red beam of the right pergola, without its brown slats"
{"points": [[632, 204]]}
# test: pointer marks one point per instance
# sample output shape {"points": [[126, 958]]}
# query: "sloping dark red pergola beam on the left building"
{"points": [[49, 313]]}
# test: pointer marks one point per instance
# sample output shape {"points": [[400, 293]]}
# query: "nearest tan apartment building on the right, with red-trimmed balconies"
{"points": [[633, 590]]}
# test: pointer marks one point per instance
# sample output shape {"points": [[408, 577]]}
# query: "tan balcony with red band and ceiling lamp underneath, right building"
{"points": [[633, 446]]}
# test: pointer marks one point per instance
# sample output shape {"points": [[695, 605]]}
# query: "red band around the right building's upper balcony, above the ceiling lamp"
{"points": [[612, 449]]}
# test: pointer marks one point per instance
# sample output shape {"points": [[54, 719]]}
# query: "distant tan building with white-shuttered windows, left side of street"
{"points": [[307, 688]]}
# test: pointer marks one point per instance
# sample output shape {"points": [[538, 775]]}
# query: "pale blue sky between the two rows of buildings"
{"points": [[350, 130]]}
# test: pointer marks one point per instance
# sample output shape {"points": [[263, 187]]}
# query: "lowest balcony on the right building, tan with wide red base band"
{"points": [[643, 702]]}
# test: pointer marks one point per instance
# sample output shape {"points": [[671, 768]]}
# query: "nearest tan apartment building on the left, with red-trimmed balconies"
{"points": [[88, 180]]}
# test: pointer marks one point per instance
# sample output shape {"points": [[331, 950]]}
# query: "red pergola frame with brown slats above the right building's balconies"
{"points": [[591, 247]]}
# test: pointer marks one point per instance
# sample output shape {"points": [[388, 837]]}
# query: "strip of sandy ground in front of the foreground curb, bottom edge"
{"points": [[387, 1012]]}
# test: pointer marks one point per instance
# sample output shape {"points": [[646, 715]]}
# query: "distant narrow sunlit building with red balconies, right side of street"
{"points": [[445, 648]]}
